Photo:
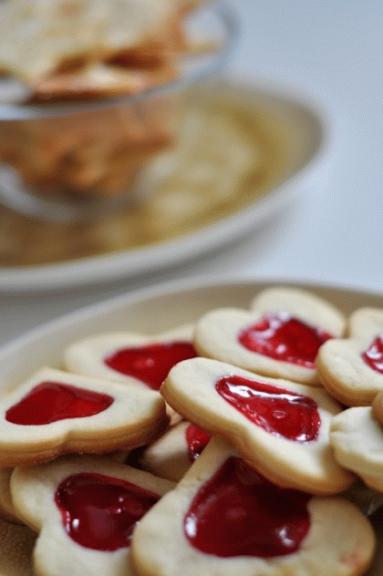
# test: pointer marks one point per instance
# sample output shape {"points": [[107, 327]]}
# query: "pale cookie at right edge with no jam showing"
{"points": [[357, 439]]}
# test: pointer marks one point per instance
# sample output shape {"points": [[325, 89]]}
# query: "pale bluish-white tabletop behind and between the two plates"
{"points": [[332, 51]]}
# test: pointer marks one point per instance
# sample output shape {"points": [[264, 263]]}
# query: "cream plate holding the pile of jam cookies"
{"points": [[151, 311]]}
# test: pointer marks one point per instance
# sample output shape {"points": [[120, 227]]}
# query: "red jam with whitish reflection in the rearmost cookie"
{"points": [[282, 337]]}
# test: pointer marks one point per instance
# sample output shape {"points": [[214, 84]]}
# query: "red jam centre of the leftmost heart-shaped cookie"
{"points": [[52, 401]]}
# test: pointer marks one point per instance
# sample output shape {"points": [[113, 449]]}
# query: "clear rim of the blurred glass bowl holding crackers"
{"points": [[226, 16]]}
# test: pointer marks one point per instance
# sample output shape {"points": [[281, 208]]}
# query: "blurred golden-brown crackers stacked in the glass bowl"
{"points": [[87, 50]]}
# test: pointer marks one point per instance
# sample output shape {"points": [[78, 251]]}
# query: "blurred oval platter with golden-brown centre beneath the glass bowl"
{"points": [[195, 206]]}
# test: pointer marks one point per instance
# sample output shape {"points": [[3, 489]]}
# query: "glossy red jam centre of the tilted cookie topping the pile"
{"points": [[277, 410]]}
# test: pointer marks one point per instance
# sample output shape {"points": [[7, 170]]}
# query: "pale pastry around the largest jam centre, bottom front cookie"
{"points": [[339, 541]]}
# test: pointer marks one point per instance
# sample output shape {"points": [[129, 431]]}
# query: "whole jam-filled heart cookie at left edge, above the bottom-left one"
{"points": [[127, 418]]}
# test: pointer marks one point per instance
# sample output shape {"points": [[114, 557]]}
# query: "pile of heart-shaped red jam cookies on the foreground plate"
{"points": [[217, 449]]}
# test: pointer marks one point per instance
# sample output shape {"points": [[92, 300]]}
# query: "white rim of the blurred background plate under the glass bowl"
{"points": [[131, 263]]}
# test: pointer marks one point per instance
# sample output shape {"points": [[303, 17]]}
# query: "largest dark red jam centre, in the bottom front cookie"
{"points": [[238, 513]]}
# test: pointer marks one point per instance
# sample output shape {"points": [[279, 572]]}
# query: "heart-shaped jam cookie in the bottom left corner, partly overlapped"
{"points": [[85, 511]]}
